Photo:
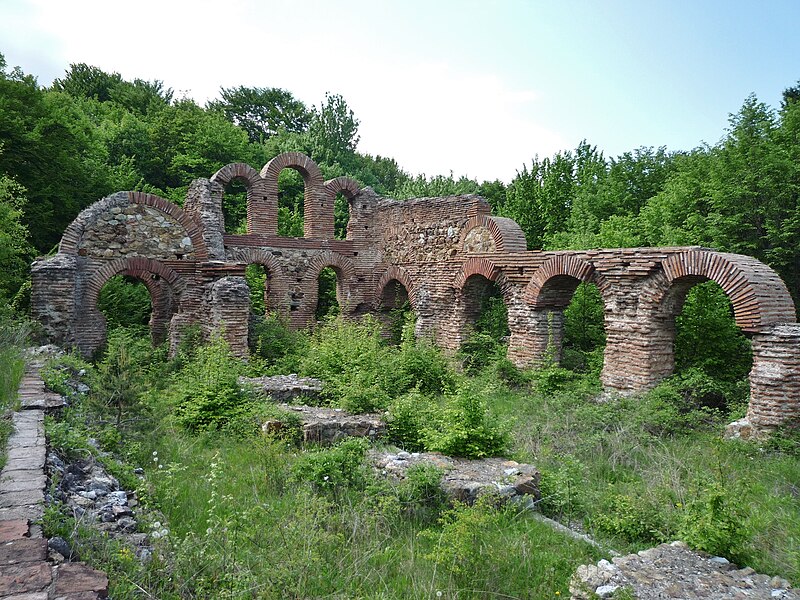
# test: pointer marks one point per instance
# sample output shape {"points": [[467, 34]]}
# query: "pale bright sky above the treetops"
{"points": [[476, 88]]}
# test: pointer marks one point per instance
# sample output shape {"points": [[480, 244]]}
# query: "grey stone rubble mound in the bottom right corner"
{"points": [[675, 571]]}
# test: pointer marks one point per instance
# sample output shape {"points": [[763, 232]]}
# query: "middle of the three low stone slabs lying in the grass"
{"points": [[328, 425]]}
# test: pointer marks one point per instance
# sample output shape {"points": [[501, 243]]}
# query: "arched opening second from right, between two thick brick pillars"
{"points": [[584, 336]]}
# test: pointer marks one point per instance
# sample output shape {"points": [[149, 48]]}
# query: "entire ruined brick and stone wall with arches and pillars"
{"points": [[442, 254]]}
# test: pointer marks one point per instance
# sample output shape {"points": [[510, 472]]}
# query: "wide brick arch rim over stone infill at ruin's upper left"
{"points": [[73, 235]]}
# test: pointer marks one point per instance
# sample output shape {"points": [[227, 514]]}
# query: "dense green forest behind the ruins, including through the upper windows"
{"points": [[91, 133]]}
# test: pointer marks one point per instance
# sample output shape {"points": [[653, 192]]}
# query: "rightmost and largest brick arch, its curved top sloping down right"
{"points": [[758, 295]]}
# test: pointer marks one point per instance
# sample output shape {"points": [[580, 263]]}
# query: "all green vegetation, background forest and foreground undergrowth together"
{"points": [[238, 514]]}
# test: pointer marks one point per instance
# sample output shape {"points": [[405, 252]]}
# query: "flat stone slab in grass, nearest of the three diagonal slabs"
{"points": [[465, 480]]}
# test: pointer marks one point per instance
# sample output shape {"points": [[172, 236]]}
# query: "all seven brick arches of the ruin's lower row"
{"points": [[551, 287]]}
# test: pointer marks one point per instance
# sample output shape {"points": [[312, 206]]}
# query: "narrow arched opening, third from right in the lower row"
{"points": [[485, 323]]}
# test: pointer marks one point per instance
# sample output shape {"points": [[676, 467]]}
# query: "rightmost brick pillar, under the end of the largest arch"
{"points": [[774, 382]]}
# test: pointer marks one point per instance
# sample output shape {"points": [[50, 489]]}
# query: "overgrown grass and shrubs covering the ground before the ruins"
{"points": [[255, 516]]}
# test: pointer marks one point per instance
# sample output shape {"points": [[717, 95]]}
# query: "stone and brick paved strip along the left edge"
{"points": [[25, 573]]}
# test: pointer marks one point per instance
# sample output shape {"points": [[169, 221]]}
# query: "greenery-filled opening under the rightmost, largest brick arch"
{"points": [[712, 355]]}
